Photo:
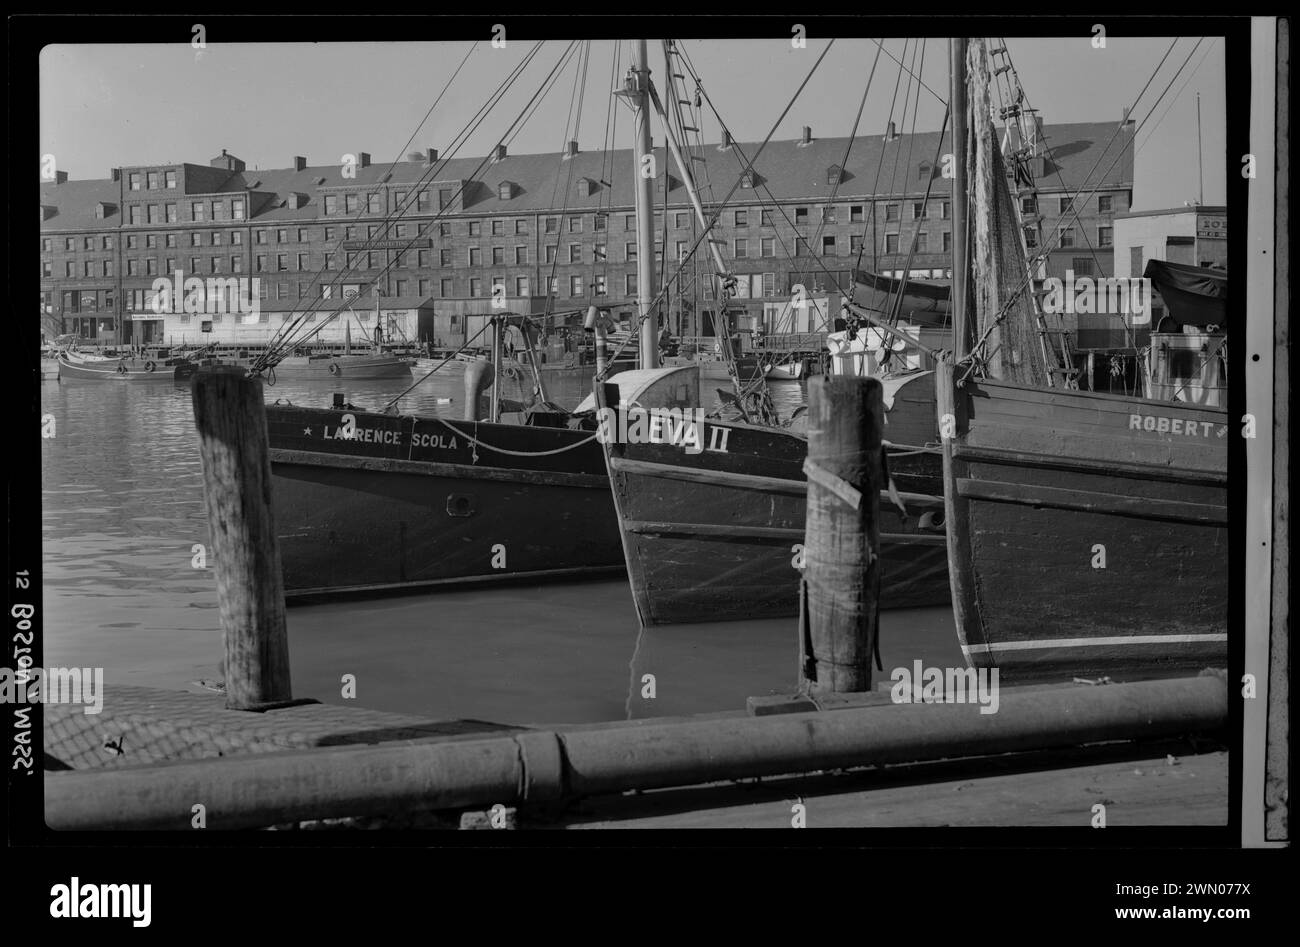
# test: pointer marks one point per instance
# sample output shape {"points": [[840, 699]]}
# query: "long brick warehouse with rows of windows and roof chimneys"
{"points": [[536, 224]]}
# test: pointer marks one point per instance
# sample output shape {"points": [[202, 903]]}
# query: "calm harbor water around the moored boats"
{"points": [[123, 511]]}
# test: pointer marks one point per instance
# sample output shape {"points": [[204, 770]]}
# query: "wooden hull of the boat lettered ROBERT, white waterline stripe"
{"points": [[1087, 533]]}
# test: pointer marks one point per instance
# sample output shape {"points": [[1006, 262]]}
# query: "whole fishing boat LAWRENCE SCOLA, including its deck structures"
{"points": [[372, 501]]}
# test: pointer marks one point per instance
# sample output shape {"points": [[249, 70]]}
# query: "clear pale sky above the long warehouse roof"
{"points": [[114, 106]]}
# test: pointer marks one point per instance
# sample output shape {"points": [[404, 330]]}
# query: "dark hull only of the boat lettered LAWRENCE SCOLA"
{"points": [[413, 503]]}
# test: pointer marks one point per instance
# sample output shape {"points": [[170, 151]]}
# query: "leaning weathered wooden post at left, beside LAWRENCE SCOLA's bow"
{"points": [[232, 422]]}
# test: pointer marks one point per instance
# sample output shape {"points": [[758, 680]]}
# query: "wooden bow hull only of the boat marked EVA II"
{"points": [[712, 537]]}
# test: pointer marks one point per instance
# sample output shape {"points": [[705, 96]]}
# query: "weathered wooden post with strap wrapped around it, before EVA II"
{"points": [[842, 574]]}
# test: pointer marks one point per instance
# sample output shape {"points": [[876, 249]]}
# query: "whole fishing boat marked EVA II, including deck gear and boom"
{"points": [[717, 534]]}
